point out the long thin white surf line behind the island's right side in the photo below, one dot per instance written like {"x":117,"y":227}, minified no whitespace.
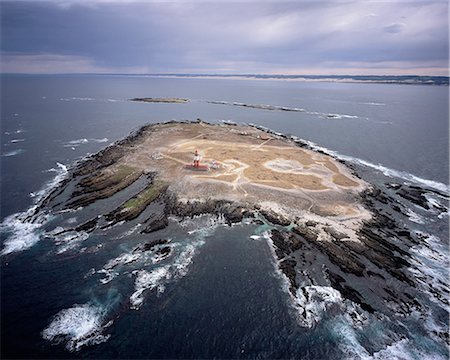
{"x":383,"y":169}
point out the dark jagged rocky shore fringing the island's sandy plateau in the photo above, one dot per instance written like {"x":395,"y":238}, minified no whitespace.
{"x":380,"y":251}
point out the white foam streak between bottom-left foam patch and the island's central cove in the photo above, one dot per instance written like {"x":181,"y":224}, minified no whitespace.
{"x":147,"y":281}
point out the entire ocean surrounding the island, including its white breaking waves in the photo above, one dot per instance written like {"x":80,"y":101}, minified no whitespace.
{"x":222,"y":297}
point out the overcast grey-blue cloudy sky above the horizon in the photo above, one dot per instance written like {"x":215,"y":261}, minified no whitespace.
{"x":271,"y":37}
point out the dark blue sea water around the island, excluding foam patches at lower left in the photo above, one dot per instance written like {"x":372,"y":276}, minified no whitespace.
{"x":231,"y":303}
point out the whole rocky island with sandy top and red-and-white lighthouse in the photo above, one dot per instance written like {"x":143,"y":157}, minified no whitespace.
{"x":319,"y":213}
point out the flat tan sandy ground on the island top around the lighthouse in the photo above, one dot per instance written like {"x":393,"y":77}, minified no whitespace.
{"x":252,"y":166}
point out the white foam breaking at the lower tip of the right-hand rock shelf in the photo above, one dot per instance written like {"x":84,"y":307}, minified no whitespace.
{"x":313,"y":301}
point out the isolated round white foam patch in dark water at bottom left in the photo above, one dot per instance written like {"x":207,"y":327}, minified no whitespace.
{"x":78,"y":326}
